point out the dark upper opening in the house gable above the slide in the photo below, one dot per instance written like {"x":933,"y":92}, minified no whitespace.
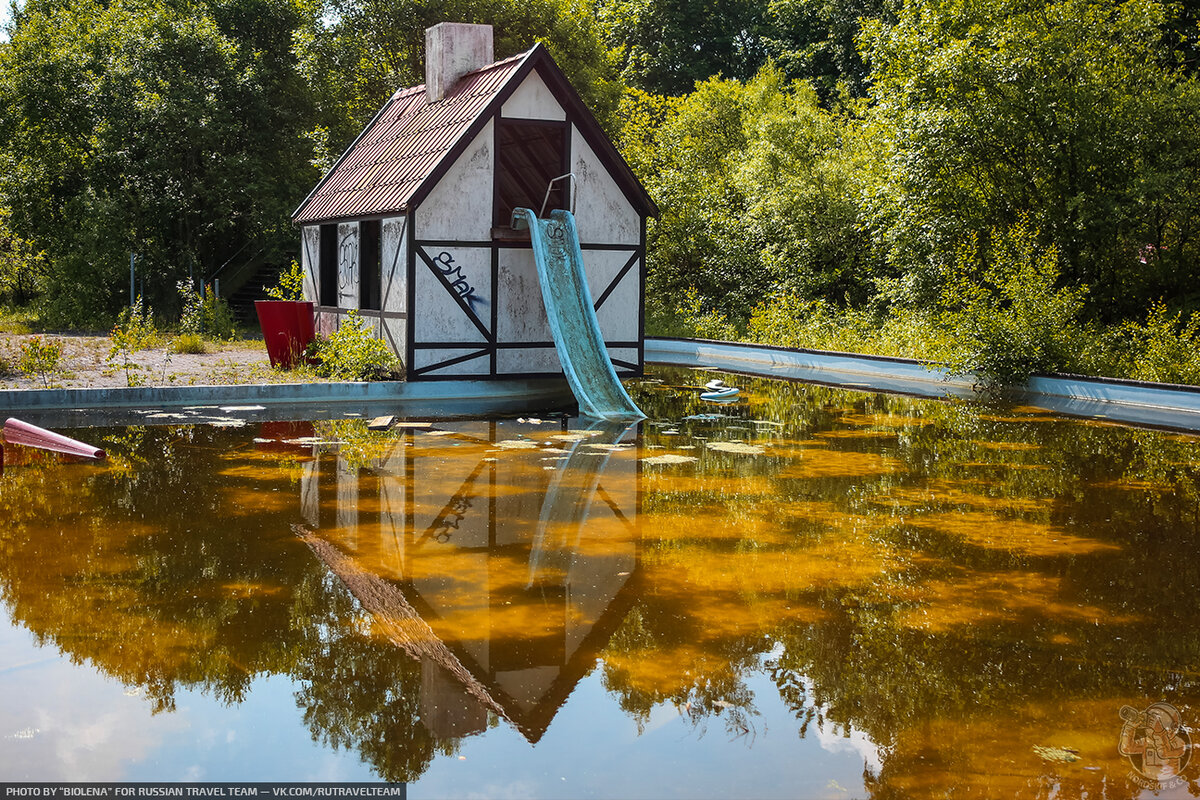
{"x":529,"y":157}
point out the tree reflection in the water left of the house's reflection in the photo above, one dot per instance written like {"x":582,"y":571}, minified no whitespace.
{"x":173,"y":567}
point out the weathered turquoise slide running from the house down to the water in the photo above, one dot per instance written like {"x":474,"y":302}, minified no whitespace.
{"x":573,"y":320}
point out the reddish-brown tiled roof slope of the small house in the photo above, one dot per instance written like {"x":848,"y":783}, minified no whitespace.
{"x":403,"y":147}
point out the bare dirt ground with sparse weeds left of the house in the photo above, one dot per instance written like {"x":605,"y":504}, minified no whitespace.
{"x":87,"y":363}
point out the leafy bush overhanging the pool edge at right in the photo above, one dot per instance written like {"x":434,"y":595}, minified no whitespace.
{"x":1009,"y":316}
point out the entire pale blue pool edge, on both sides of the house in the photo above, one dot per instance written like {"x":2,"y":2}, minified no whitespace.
{"x":1162,"y":406}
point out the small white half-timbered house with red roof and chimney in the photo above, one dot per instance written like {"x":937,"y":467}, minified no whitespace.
{"x":411,"y":228}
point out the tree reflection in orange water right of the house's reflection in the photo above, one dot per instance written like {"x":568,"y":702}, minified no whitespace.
{"x":1073,"y":585}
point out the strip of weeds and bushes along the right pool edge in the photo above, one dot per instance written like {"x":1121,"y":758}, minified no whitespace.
{"x":1000,"y":317}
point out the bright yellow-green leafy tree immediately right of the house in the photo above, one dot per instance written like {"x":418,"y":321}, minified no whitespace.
{"x":758,"y":188}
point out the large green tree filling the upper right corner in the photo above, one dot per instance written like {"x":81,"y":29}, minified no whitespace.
{"x":1061,"y":113}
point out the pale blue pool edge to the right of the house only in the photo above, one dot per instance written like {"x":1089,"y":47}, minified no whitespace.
{"x":1132,"y":402}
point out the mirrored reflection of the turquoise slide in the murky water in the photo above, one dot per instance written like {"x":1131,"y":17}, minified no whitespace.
{"x":569,"y":500}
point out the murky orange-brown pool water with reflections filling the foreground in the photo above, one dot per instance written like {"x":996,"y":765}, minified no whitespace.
{"x":811,"y":594}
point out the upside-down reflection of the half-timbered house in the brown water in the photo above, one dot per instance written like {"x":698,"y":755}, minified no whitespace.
{"x":478,"y":562}
